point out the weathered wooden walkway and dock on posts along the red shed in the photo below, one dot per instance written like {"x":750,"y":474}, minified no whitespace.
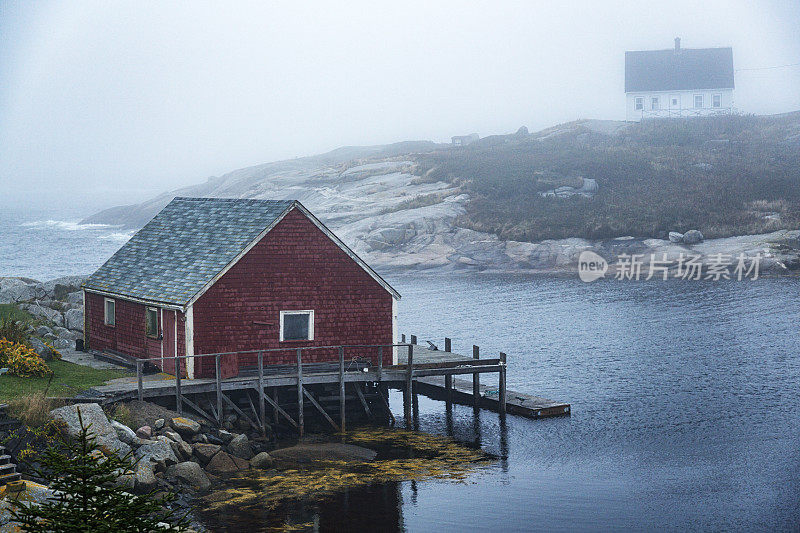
{"x":430,"y":372}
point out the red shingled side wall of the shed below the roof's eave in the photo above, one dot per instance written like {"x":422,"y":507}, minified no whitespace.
{"x":128,"y":334}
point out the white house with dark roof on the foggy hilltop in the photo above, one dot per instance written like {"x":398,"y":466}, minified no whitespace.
{"x":678,"y":82}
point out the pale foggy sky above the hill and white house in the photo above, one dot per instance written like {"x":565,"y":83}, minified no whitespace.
{"x":115,"y":102}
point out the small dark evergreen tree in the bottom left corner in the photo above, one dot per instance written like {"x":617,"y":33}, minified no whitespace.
{"x":86,"y":499}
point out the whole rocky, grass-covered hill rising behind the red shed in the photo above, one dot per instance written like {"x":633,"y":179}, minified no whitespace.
{"x":534,"y":201}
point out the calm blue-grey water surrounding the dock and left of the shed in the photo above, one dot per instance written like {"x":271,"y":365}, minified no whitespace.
{"x":684,"y":397}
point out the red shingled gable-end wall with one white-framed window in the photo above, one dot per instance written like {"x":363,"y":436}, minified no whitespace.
{"x":294,"y":267}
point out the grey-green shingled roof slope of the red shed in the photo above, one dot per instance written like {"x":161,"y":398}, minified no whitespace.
{"x":183,"y":247}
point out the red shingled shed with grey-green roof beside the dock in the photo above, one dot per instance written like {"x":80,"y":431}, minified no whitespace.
{"x":213,"y":275}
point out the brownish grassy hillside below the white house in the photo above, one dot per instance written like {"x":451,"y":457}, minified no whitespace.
{"x":723,"y":175}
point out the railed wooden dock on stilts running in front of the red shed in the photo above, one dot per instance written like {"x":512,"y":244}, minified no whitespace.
{"x":418,"y":369}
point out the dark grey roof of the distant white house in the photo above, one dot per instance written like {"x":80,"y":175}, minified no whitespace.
{"x":685,"y":69}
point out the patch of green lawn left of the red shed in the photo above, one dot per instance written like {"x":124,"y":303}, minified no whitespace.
{"x":68,"y":380}
